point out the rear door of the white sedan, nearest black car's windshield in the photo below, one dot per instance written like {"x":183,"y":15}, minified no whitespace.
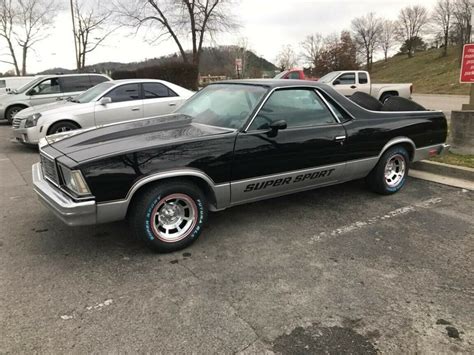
{"x":158,"y":99}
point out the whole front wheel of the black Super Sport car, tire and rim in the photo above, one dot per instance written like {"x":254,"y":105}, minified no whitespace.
{"x":168,"y":216}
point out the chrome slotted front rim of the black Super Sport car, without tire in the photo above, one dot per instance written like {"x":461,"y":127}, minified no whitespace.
{"x":174,"y":218}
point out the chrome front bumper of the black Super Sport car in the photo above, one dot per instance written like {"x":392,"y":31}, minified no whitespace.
{"x":69,"y":211}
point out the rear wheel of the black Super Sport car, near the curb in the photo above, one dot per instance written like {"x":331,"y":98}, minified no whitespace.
{"x":390,"y":173}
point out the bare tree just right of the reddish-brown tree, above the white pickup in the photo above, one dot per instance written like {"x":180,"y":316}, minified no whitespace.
{"x":366,"y":31}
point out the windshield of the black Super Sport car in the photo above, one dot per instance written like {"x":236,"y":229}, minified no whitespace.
{"x":223,"y":105}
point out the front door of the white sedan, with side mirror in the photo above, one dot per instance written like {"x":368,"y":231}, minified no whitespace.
{"x":126,"y":105}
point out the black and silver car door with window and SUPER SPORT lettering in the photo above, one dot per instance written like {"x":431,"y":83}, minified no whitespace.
{"x":308,"y":153}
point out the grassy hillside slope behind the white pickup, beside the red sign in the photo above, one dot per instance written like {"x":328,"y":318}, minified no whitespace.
{"x":428,"y":71}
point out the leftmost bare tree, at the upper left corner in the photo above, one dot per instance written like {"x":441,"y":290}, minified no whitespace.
{"x":34,"y":18}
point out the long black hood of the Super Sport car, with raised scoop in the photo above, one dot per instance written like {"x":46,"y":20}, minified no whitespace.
{"x":132,"y":136}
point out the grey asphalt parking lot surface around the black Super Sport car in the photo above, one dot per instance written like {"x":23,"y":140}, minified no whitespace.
{"x":334,"y":270}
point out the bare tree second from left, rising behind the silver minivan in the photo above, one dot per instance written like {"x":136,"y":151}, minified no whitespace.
{"x":92,"y":28}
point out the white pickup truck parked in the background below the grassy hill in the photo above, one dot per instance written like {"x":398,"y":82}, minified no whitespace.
{"x":348,"y":82}
